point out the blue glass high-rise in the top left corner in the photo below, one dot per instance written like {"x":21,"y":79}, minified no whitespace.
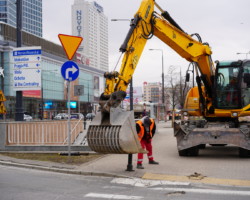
{"x":32,"y":15}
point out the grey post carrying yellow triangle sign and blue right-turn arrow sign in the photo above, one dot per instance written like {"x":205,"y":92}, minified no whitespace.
{"x":69,"y":71}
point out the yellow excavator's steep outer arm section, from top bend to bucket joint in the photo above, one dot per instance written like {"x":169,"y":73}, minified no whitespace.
{"x":117,"y":82}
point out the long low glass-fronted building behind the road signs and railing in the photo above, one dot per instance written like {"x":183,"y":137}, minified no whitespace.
{"x":53,"y":95}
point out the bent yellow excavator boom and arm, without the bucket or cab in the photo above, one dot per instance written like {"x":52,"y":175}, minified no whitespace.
{"x":148,"y":23}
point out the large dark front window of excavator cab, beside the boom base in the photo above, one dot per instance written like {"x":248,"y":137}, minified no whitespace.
{"x":227,"y":86}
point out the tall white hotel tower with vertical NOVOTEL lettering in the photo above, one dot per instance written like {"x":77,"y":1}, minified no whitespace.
{"x":90,"y":22}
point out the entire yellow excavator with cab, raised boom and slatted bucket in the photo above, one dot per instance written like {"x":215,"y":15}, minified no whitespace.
{"x":221,"y":97}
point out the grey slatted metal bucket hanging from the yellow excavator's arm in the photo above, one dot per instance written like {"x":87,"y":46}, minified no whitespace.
{"x":114,"y":133}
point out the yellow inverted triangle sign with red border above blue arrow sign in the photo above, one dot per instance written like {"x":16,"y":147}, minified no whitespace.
{"x":70,"y":44}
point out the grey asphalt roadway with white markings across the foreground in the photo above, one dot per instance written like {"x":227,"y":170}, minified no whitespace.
{"x":20,"y":184}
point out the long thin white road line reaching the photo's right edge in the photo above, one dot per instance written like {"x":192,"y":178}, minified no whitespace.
{"x":207,"y":191}
